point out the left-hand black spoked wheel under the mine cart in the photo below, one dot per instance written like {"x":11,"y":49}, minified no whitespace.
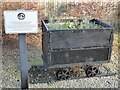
{"x":63,"y":74}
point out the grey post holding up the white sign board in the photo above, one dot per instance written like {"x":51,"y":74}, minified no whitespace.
{"x":23,"y":61}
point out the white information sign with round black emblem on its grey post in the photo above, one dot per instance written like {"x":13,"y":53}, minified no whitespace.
{"x":21,"y":22}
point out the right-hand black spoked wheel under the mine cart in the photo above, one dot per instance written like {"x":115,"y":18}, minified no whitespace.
{"x":91,"y":71}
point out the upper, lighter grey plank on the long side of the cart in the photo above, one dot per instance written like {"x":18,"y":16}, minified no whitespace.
{"x":80,"y":39}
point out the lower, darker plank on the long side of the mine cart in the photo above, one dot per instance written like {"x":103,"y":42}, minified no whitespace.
{"x":79,"y":56}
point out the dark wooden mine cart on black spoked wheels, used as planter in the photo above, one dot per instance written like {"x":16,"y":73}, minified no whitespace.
{"x":67,"y":47}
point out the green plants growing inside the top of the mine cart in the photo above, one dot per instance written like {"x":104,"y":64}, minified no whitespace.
{"x":84,"y":24}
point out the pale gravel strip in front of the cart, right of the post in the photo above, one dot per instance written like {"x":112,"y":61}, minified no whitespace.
{"x":103,"y":82}
